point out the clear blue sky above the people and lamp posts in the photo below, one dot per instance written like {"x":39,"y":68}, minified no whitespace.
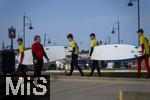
{"x":57,"y":18}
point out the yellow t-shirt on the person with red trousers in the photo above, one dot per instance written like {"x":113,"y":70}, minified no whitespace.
{"x":144,"y":40}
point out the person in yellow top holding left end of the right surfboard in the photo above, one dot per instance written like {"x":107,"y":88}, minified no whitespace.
{"x":94,"y":63}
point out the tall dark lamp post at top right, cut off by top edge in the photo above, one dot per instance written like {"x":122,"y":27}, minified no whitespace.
{"x":138,"y":3}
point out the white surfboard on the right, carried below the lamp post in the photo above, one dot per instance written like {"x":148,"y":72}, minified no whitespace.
{"x":116,"y":52}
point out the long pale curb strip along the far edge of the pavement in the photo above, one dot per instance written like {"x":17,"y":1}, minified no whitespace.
{"x":102,"y":79}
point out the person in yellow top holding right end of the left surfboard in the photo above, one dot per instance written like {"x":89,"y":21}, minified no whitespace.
{"x":74,"y":55}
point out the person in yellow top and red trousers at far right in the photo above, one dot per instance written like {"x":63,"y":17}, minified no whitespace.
{"x":144,"y":42}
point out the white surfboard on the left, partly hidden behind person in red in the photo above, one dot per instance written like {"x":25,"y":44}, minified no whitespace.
{"x":54,"y":53}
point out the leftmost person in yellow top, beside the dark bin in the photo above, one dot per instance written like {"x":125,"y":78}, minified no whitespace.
{"x":21,"y":67}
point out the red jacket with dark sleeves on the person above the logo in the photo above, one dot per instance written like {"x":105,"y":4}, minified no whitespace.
{"x":38,"y":51}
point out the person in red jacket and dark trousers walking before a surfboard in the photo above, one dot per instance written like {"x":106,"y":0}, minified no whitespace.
{"x":38,"y":54}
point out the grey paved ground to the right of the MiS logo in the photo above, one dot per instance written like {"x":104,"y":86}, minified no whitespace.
{"x":94,"y":88}
